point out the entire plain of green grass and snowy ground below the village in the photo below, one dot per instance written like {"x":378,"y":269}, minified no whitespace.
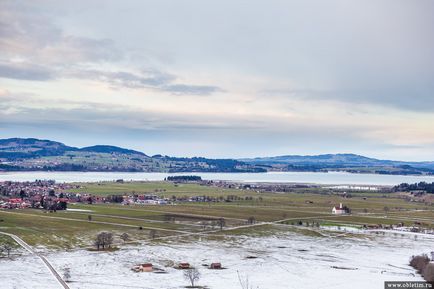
{"x":273,"y":239}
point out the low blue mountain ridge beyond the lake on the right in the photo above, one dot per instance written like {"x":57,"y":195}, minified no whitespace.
{"x":341,"y":162}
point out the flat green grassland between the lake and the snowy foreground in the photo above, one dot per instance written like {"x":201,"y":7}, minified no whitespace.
{"x":272,"y":211}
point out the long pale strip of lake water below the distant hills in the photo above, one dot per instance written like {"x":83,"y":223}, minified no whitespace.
{"x":330,"y":178}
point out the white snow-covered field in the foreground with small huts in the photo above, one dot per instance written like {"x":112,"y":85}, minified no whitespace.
{"x":288,"y":260}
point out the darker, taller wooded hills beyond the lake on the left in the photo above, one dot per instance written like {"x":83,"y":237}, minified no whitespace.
{"x":18,"y":154}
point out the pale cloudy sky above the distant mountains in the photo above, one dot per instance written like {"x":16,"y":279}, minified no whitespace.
{"x":222,"y":78}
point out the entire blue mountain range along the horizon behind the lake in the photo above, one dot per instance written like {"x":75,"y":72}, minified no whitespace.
{"x":27,"y":154}
